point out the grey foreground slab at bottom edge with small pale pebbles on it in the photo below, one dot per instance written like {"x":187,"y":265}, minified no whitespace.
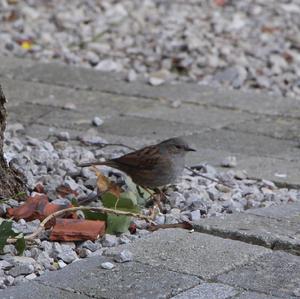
{"x":127,"y":280}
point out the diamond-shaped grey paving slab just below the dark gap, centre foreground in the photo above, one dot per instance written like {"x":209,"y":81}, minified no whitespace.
{"x":192,"y":253}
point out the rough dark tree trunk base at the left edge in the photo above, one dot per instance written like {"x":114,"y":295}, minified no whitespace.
{"x":11,"y":182}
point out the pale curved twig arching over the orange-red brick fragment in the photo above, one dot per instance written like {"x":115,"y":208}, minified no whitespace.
{"x":81,"y":208}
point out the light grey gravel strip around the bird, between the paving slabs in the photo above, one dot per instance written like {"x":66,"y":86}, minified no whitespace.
{"x":51,"y":163}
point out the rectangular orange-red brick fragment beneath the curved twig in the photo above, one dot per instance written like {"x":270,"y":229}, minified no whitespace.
{"x":77,"y":230}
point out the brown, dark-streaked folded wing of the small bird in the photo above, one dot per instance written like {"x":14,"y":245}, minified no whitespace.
{"x":145,"y":158}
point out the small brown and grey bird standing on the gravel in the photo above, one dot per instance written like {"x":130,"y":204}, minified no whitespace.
{"x":152,"y":166}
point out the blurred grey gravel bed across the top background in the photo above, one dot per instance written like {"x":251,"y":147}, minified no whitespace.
{"x":249,"y":44}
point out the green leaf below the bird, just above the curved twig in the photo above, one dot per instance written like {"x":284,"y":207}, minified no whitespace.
{"x":127,"y":202}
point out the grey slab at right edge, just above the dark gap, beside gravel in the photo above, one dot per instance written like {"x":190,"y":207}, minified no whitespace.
{"x":265,"y":231}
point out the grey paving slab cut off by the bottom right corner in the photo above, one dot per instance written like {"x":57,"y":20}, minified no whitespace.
{"x":277,"y":274}
